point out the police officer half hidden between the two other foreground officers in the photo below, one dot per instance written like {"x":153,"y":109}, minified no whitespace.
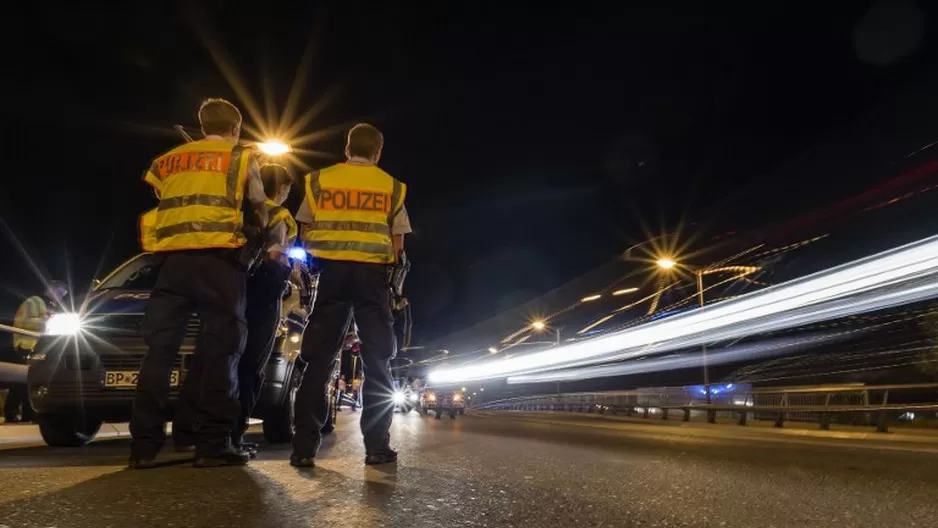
{"x":265,"y":290}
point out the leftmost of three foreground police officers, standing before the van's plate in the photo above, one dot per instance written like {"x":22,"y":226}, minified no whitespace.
{"x":198,"y":227}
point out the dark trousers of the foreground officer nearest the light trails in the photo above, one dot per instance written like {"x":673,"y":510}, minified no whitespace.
{"x":345,"y":287}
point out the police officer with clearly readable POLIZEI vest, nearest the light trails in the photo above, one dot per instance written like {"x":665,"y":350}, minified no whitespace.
{"x":354,"y":224}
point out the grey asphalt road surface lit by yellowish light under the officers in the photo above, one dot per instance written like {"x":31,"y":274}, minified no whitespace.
{"x":497,"y":471}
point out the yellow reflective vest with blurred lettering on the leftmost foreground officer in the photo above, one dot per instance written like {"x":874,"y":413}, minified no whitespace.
{"x":201,"y":186}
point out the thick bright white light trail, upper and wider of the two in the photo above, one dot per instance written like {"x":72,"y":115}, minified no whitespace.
{"x":898,"y":276}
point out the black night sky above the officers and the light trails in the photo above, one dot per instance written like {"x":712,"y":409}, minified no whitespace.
{"x":537,"y":141}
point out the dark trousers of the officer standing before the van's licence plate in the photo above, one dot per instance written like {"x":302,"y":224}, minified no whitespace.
{"x":211,"y":284}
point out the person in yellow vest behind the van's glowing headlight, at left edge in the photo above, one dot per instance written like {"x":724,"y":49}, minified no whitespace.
{"x":31,"y":315}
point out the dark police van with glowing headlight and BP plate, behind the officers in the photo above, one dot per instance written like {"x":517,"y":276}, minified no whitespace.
{"x":84,"y":369}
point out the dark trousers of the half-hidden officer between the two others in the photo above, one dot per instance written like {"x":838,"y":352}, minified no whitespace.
{"x":265,"y":290}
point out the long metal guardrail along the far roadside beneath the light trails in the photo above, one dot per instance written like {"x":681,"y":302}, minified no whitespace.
{"x":816,"y":403}
